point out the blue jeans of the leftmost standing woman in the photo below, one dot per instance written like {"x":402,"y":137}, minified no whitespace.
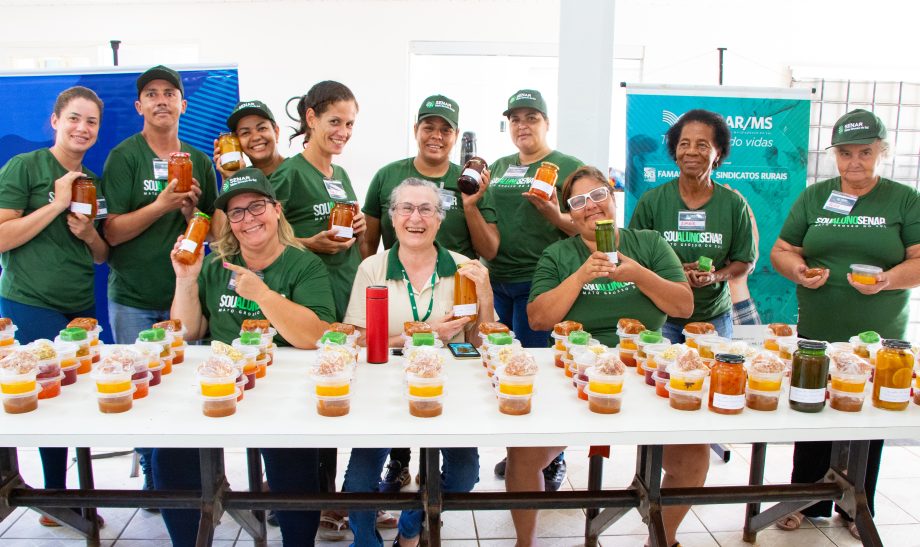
{"x":32,"y":323}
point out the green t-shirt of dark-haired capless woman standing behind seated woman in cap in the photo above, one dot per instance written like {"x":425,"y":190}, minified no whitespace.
{"x":308,"y":198}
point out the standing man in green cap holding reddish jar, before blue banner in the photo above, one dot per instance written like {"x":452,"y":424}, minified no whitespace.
{"x":146,"y":214}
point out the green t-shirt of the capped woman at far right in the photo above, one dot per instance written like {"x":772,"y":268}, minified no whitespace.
{"x":881,"y":225}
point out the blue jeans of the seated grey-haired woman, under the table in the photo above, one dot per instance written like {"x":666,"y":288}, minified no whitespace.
{"x":460,"y":472}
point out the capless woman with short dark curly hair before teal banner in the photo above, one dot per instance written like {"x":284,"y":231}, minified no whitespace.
{"x":701,"y":220}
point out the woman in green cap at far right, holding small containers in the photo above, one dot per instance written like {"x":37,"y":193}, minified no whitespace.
{"x":856,"y":218}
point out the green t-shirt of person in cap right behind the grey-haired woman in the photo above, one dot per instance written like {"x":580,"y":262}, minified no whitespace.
{"x":453,"y":234}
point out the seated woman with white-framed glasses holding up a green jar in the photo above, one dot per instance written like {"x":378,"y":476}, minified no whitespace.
{"x":574,"y":281}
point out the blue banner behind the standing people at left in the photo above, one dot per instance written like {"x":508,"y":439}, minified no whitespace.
{"x":25,"y":123}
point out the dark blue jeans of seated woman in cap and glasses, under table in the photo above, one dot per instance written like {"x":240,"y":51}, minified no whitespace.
{"x":289,"y":471}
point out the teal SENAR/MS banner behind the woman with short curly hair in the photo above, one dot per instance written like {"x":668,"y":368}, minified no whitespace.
{"x":767,"y":163}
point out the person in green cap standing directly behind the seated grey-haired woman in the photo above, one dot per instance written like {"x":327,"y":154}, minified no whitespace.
{"x":469,"y":227}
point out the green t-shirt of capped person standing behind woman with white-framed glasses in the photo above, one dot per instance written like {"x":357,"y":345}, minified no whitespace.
{"x":524,"y":232}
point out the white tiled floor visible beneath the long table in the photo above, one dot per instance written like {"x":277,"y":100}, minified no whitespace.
{"x":897,"y":507}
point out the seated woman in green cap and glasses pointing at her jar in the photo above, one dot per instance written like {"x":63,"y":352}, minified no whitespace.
{"x":257,"y":255}
